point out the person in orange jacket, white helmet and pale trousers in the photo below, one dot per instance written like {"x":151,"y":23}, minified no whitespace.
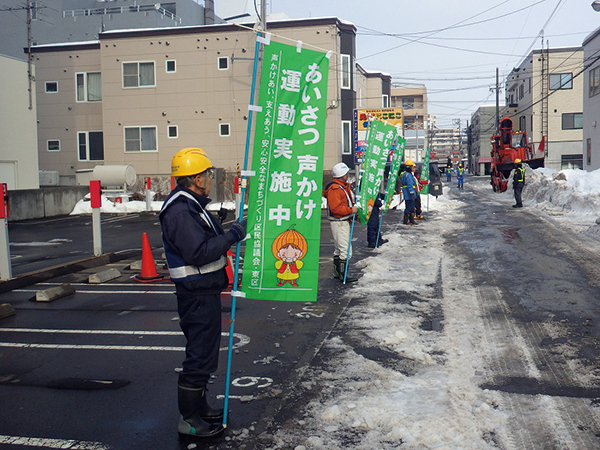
{"x":340,"y":209}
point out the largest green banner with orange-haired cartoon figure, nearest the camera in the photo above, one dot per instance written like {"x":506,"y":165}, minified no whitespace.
{"x":284,"y":210}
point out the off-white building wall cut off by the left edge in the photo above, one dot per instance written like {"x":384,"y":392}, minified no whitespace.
{"x":18,"y":131}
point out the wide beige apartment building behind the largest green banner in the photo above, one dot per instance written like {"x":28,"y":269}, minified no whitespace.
{"x":138,"y":96}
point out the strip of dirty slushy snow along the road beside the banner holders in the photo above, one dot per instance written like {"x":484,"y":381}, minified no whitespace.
{"x":424,"y":394}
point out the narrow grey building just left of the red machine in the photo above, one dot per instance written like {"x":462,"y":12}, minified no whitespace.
{"x":481,"y":129}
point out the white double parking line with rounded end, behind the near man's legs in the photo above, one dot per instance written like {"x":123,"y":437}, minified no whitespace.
{"x":242,"y":340}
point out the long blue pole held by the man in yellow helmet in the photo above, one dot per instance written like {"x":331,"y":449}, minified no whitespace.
{"x":238,"y":245}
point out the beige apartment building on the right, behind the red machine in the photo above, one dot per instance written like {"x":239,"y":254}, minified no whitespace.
{"x":544,"y":97}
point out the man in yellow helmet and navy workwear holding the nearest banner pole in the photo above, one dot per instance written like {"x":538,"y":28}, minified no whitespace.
{"x":195,"y":247}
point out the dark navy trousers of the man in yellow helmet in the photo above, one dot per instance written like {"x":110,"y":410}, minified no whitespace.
{"x":200,"y":321}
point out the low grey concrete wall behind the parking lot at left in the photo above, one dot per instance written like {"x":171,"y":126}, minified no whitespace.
{"x":45,"y":202}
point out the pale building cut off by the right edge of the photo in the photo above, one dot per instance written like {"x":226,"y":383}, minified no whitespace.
{"x":591,"y":102}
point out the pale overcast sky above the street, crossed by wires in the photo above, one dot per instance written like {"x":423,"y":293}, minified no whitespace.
{"x":458,"y":81}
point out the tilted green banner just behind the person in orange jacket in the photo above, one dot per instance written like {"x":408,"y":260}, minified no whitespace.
{"x":379,"y":142}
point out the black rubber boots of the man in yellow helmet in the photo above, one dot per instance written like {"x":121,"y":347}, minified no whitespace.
{"x":192,"y":401}
